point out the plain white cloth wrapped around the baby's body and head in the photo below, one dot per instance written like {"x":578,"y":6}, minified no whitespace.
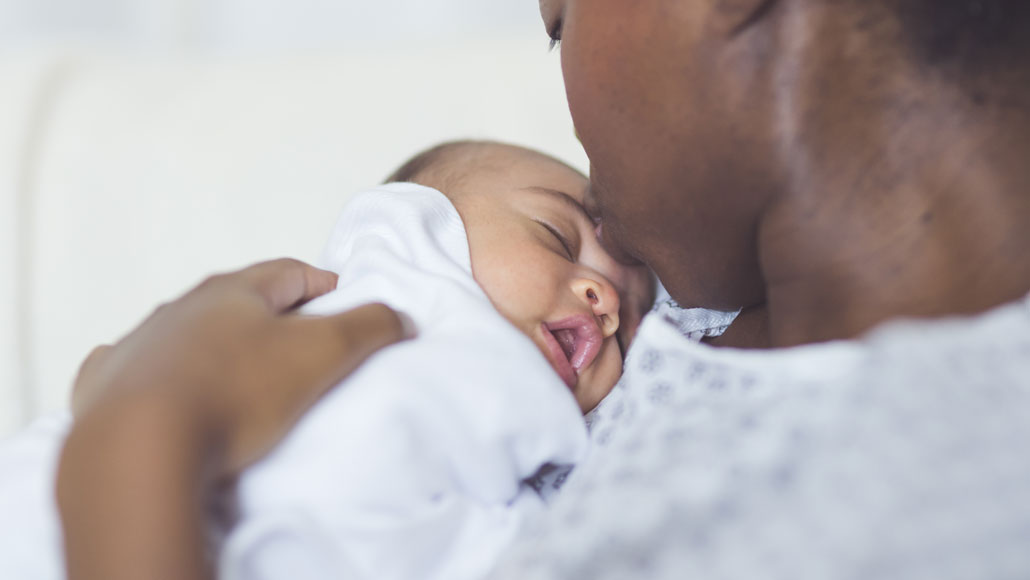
{"x":413,"y":468}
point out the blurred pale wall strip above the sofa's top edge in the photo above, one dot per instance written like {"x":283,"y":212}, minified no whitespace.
{"x":261,"y":27}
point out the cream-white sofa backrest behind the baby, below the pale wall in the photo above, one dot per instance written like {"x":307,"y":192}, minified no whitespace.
{"x":124,"y":181}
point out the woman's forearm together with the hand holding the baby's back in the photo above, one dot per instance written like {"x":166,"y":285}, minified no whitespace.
{"x":203,"y":388}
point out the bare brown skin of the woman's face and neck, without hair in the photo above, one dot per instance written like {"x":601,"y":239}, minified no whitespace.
{"x":792,"y":153}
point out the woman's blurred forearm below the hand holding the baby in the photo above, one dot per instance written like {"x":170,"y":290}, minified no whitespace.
{"x":132,"y":481}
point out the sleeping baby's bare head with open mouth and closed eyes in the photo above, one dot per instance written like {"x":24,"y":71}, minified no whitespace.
{"x":535,"y":253}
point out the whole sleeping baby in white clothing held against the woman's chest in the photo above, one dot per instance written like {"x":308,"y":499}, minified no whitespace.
{"x":416,"y":466}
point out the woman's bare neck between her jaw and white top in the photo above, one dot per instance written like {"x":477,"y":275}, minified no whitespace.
{"x":919,"y":213}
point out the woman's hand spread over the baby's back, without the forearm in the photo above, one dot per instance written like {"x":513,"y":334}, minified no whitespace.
{"x":233,"y":353}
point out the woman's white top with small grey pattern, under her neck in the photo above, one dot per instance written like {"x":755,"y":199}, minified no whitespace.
{"x":903,"y":456}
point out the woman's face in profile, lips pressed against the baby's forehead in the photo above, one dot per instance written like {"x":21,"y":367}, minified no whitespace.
{"x":668,"y":106}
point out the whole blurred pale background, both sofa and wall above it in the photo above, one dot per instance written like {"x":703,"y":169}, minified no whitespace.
{"x":148,"y":144}
